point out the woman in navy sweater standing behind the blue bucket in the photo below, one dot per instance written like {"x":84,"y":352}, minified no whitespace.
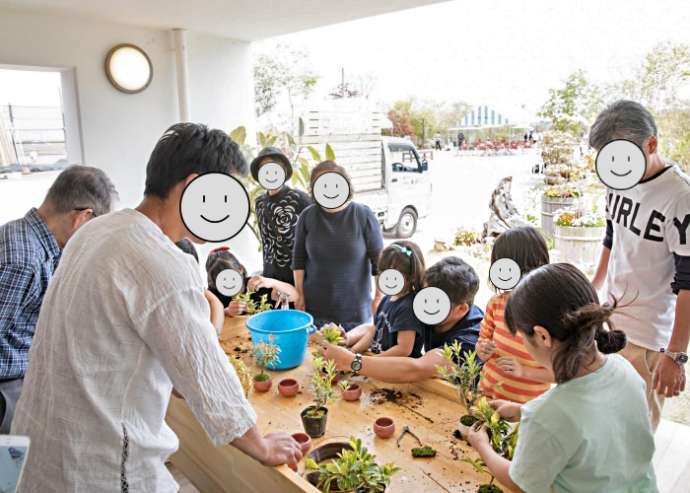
{"x":337,"y":245}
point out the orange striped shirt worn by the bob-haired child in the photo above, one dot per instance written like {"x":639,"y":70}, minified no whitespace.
{"x":494,"y":382}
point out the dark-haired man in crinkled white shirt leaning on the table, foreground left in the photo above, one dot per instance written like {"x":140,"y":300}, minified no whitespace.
{"x":123,"y":321}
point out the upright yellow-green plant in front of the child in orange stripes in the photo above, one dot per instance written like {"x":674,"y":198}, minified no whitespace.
{"x":462,"y":370}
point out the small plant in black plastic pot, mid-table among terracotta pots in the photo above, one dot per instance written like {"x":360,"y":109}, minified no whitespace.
{"x":315,"y":416}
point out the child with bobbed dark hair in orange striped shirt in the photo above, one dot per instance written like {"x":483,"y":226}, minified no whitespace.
{"x":509,"y":371}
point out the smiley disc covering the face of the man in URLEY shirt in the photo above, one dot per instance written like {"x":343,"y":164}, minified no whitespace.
{"x":621,"y":164}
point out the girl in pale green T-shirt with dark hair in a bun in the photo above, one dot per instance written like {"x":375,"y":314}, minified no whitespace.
{"x":591,"y":432}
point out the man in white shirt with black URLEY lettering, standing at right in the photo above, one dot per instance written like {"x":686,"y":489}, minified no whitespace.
{"x":645,"y":262}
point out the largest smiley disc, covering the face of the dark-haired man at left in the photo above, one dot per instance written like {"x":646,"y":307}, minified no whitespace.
{"x":214,"y":207}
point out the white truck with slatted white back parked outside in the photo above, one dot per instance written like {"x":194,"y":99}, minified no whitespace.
{"x":387,"y":173}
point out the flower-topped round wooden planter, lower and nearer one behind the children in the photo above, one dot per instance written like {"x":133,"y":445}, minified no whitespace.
{"x":577,"y":236}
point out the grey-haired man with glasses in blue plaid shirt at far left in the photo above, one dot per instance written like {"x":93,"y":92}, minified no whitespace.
{"x":30,"y":248}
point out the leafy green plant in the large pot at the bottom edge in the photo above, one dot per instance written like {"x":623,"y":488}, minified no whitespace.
{"x":353,"y":470}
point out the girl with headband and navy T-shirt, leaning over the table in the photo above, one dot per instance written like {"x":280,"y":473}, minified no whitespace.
{"x":395,"y":331}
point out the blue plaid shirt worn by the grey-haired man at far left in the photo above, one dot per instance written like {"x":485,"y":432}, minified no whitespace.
{"x":29,"y":255}
